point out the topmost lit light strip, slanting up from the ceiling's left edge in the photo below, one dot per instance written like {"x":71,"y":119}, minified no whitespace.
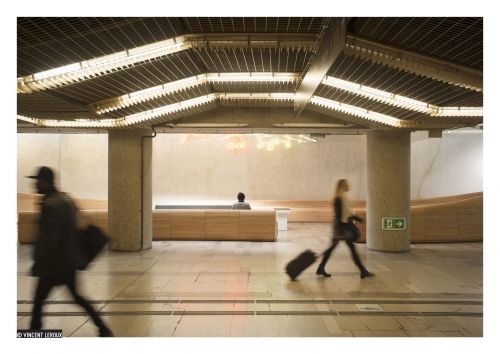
{"x":79,"y":71}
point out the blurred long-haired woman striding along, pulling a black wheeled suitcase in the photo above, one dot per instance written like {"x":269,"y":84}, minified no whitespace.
{"x":343,"y":229}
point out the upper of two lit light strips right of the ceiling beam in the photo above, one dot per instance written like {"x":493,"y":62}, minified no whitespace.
{"x":401,"y":101}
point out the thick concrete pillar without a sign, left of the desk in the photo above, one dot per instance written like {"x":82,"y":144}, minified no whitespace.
{"x":129,"y":195}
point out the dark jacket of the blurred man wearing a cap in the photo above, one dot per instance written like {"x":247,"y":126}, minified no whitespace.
{"x":56,"y":250}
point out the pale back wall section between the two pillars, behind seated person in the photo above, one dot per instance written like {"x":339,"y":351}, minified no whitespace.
{"x":208,"y":170}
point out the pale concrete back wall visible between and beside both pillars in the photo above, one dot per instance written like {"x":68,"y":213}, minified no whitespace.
{"x":208,"y":170}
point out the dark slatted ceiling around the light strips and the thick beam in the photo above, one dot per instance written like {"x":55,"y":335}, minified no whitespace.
{"x":253,"y":46}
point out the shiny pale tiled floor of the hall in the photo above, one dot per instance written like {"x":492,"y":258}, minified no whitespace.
{"x":240,"y":289}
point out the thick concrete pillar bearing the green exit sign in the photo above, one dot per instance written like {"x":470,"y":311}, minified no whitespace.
{"x":388,"y":189}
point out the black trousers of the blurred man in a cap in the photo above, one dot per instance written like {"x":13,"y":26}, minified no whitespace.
{"x":45,"y":284}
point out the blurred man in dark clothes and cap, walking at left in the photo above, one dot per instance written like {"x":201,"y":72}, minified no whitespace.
{"x":57,"y":253}
